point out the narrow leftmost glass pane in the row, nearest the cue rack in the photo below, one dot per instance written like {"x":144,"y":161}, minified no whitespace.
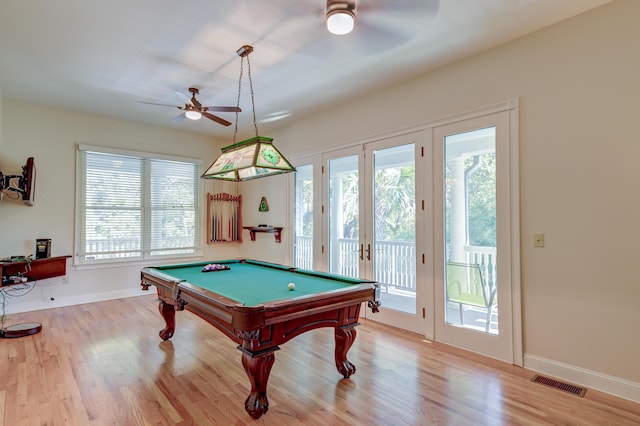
{"x":303,"y":218}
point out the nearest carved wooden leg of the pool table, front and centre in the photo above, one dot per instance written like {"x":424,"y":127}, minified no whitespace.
{"x":257,"y":368}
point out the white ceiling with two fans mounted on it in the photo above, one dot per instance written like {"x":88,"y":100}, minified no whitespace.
{"x":103,"y":56}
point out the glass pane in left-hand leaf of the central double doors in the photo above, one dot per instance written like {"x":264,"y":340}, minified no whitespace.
{"x":344,"y":221}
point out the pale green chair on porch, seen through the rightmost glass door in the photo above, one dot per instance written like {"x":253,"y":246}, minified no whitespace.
{"x":466,"y":286}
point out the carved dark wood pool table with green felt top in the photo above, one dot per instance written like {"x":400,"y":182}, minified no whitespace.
{"x":251,"y":303}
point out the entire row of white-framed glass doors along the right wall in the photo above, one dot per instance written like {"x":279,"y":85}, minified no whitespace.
{"x":432,"y":216}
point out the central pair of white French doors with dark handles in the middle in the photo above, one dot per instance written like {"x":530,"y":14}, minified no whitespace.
{"x":371,"y":224}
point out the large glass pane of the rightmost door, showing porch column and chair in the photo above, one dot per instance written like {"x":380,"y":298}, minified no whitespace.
{"x":470,"y":230}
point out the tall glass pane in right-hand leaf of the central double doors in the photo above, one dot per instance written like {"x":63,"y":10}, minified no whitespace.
{"x":394,"y":251}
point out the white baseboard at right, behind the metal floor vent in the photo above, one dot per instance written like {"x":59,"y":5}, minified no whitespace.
{"x":583,"y":377}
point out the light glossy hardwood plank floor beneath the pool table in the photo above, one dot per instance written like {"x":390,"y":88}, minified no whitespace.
{"x":104,"y":364}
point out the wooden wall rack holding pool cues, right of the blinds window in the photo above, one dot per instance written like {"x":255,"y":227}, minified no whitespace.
{"x":224,"y":218}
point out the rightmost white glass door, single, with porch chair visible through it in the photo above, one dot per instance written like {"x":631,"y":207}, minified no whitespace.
{"x":473,"y":213}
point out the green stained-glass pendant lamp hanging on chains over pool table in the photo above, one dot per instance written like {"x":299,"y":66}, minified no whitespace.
{"x":252,"y":158}
